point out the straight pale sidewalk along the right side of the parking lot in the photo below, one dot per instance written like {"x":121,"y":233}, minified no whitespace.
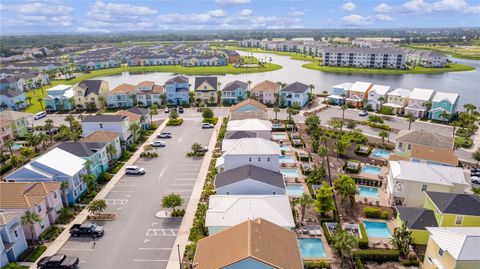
{"x":184,"y":231}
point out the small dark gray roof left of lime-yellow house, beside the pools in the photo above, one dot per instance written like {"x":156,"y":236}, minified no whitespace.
{"x":417,"y":218}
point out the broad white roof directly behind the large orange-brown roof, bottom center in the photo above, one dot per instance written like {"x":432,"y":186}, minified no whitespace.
{"x":230,"y":210}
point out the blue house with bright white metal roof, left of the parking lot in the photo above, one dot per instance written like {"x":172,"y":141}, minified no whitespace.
{"x":46,"y":168}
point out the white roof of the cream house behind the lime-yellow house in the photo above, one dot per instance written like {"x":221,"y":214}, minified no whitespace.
{"x":428,"y":173}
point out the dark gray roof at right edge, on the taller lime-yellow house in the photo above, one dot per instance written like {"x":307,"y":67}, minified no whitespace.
{"x":456,"y":203}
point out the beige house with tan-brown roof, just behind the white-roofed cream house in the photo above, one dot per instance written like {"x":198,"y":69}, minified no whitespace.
{"x":425,"y":147}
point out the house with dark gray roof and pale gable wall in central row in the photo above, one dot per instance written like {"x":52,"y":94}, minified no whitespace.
{"x":249,"y":180}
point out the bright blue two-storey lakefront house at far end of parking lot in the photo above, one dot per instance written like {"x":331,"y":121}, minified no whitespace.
{"x":177,"y":90}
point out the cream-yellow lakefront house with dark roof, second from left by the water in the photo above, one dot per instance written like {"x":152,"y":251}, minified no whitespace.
{"x":91,"y":94}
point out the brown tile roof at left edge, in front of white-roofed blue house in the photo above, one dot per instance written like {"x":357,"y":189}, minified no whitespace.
{"x":25,"y":194}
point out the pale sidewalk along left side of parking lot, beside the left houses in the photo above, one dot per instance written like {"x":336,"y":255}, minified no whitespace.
{"x":57,"y":244}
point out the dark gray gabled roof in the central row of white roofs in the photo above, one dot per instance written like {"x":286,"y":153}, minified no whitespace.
{"x":250,"y":171}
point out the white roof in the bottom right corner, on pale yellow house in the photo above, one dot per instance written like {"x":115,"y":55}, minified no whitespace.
{"x":461,"y":242}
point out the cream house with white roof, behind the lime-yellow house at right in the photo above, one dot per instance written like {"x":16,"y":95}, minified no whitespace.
{"x":406,"y":181}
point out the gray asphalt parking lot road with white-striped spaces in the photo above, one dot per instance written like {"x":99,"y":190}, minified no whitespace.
{"x":139,"y":239}
